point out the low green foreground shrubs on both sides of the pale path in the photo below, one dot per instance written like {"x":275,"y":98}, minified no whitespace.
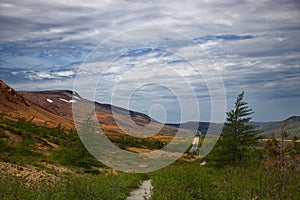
{"x":179,"y":181}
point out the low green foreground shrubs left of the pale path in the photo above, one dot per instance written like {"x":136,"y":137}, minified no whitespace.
{"x":73,"y":187}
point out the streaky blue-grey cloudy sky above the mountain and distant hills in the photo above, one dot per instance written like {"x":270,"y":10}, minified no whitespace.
{"x":176,"y":61}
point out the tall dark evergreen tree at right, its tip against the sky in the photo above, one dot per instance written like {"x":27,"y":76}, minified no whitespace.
{"x":238,"y":136}
